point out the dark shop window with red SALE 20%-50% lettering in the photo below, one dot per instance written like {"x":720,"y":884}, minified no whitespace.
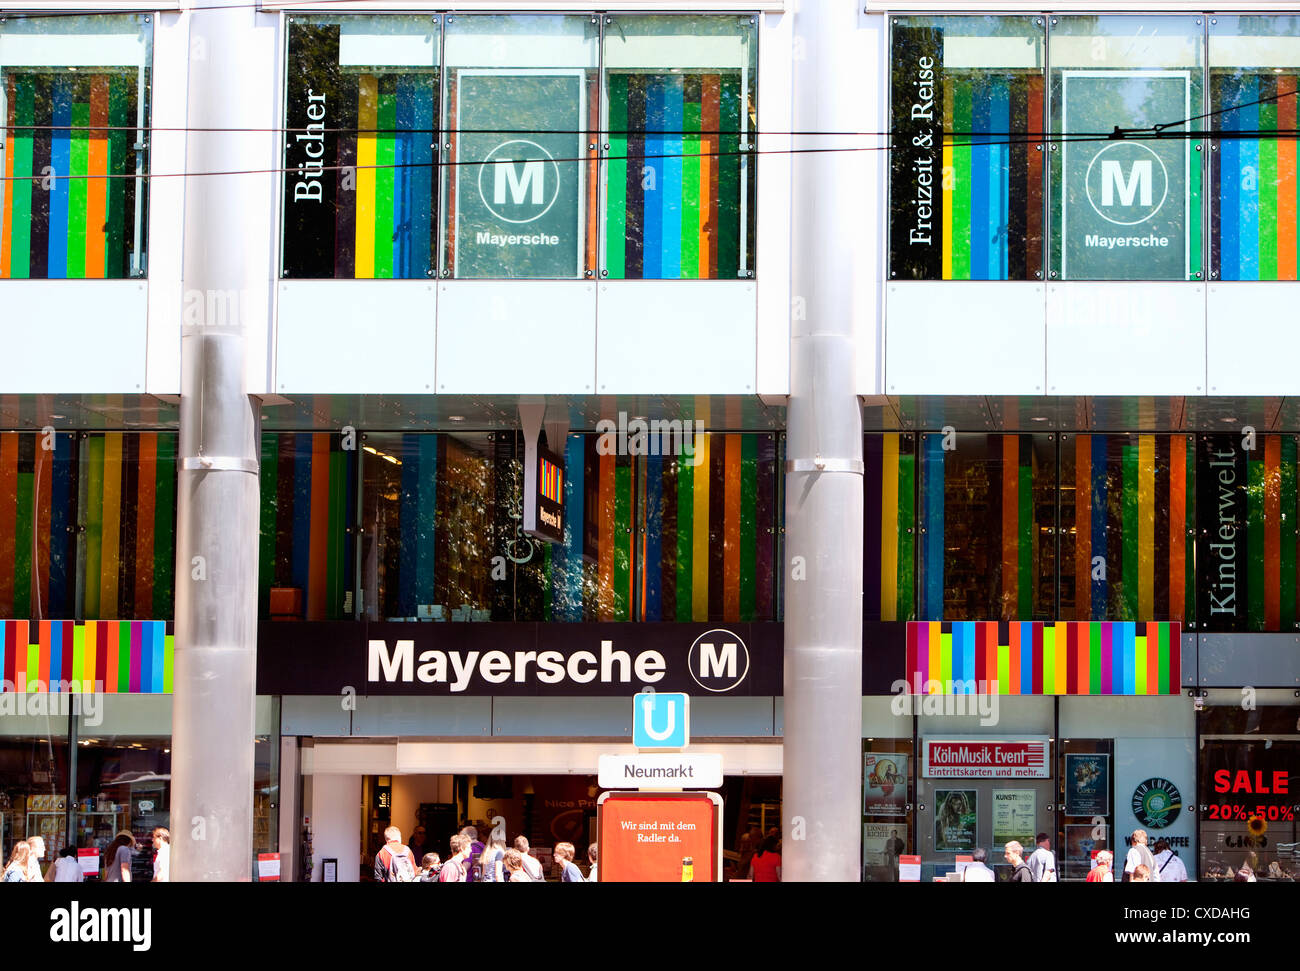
{"x":1249,"y":775}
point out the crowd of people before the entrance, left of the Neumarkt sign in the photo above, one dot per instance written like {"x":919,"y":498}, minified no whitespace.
{"x":475,"y":861}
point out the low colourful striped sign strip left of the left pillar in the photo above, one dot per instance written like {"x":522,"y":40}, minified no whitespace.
{"x":120,"y":657}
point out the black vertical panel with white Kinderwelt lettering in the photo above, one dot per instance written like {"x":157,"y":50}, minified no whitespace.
{"x":1223,"y":574}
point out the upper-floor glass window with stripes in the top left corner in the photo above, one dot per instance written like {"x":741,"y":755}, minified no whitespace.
{"x":75,"y":99}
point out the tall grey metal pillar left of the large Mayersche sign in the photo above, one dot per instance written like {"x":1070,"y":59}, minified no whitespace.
{"x":216,"y":571}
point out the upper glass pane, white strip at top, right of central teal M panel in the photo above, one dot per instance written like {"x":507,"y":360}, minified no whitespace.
{"x":681,"y":107}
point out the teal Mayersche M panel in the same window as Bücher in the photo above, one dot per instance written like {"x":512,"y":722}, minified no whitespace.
{"x":518,"y":196}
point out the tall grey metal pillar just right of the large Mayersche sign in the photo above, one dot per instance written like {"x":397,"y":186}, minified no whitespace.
{"x":822,"y":801}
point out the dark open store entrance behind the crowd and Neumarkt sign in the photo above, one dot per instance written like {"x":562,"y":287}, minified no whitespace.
{"x":548,"y":809}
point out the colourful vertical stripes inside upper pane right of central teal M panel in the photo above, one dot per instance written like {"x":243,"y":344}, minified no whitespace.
{"x":674,"y":184}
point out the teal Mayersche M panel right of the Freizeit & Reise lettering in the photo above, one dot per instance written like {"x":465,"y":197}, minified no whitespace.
{"x":1126,"y":202}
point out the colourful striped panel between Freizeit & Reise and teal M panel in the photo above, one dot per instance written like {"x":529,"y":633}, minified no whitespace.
{"x":993,"y":194}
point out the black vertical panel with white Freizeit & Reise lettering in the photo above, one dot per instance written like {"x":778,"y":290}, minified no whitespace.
{"x":916,"y":194}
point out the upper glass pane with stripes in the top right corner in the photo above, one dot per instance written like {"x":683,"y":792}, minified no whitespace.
{"x":1255,"y":67}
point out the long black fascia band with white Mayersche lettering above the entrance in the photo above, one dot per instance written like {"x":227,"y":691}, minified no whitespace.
{"x":541,"y":660}
